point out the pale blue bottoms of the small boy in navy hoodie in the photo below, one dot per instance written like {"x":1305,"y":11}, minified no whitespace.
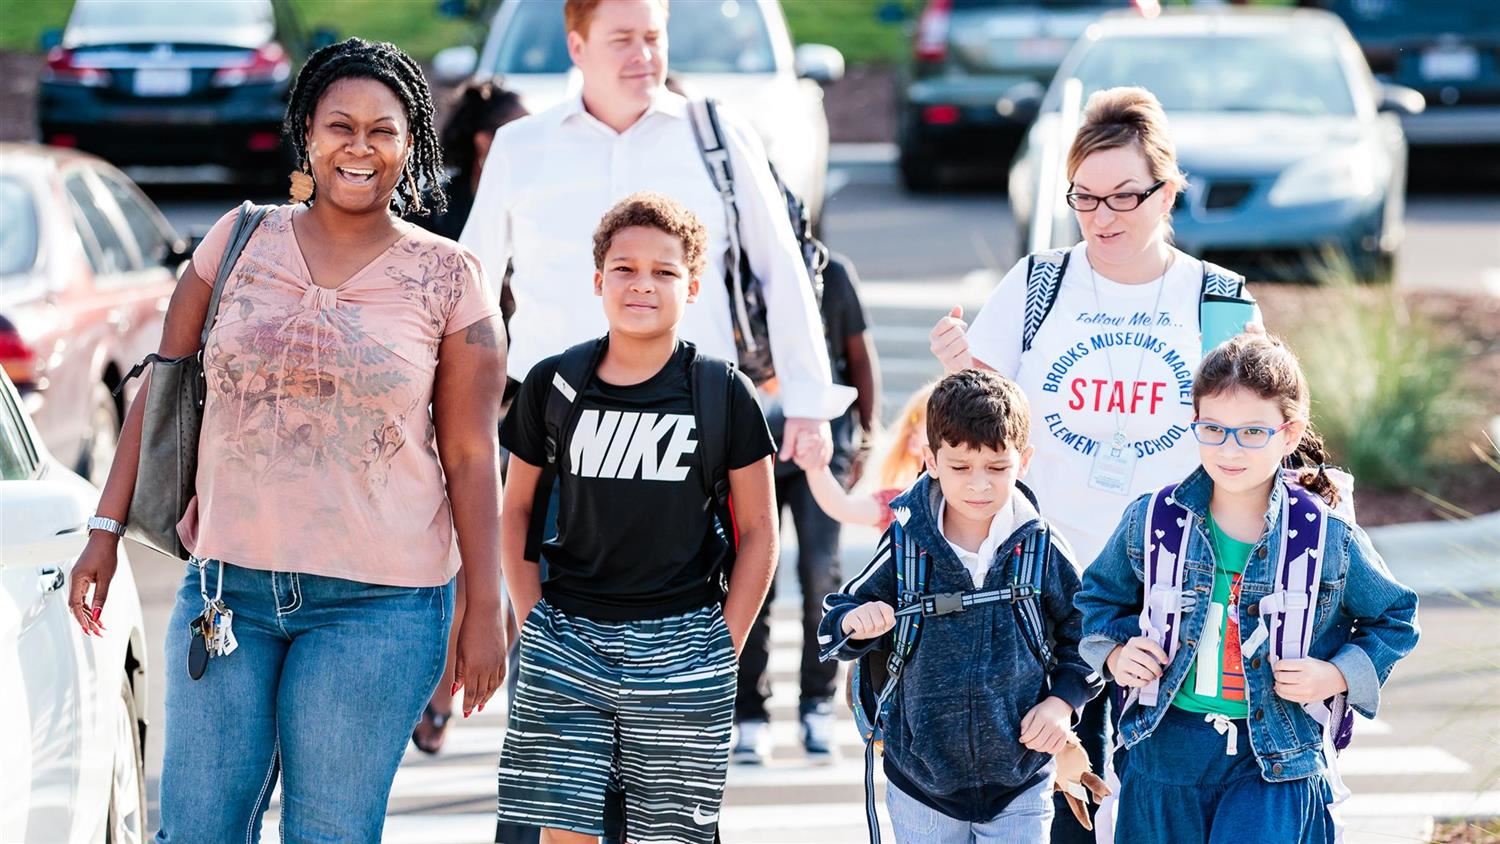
{"x":1025,"y":821}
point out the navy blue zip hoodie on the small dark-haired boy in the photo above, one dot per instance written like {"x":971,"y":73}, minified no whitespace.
{"x":953,"y":734}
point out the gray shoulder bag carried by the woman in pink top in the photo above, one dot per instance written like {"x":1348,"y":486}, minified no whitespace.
{"x":167,"y":477}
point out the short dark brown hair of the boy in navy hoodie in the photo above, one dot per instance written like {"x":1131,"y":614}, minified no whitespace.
{"x":979,"y":409}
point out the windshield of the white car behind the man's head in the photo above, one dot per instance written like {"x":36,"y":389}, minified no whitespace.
{"x":704,"y":37}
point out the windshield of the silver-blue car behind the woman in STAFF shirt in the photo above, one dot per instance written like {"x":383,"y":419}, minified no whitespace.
{"x":1265,"y":73}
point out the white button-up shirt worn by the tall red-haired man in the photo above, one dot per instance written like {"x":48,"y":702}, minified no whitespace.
{"x":553,"y":176}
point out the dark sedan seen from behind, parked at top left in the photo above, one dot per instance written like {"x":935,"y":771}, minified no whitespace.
{"x":172,"y":83}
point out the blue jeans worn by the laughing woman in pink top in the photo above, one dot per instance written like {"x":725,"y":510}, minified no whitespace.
{"x":326,"y":686}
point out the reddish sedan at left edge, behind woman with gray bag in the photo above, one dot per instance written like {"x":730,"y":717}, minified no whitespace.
{"x":86,"y":272}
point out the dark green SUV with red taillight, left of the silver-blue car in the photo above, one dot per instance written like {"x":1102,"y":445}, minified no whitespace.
{"x":967,"y":58}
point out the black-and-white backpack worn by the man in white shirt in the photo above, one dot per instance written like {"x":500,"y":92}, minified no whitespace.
{"x":746,"y":296}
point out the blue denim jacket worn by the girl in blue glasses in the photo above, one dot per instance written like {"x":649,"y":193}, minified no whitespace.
{"x":1366,"y":621}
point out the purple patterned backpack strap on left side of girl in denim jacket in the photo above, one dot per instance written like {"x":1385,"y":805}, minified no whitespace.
{"x":1166,"y":546}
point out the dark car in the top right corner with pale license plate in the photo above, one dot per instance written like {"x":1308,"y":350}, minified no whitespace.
{"x":1450,"y":52}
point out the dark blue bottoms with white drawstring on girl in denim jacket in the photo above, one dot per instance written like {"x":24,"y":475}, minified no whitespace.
{"x":1180,"y":785}
